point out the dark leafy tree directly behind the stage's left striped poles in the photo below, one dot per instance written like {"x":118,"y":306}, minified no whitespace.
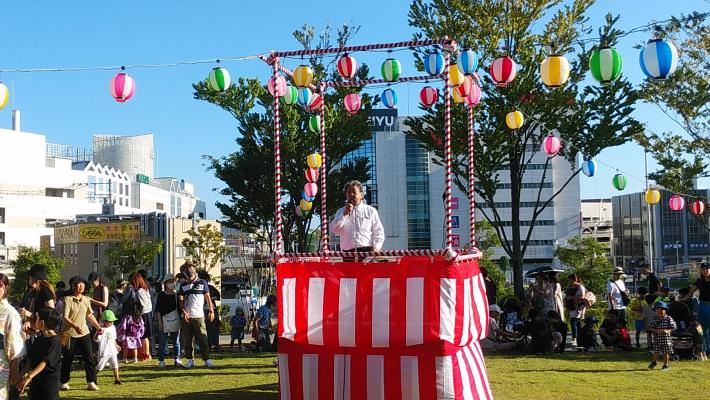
{"x":248,"y":173}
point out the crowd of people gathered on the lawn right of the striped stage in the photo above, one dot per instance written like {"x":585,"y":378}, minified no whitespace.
{"x":673,"y":325}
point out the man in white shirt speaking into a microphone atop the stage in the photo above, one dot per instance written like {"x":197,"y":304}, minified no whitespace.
{"x":358,"y":224}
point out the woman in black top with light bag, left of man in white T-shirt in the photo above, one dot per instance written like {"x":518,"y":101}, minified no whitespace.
{"x":168,"y":320}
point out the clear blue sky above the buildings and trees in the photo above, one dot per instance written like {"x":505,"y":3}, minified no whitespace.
{"x":70,"y":107}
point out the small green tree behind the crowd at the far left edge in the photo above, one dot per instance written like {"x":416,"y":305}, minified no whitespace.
{"x":20,"y":266}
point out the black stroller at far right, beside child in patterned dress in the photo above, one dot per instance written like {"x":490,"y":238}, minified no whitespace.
{"x":687,"y":339}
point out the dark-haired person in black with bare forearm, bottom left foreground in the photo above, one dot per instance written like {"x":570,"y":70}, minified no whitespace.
{"x":44,"y":358}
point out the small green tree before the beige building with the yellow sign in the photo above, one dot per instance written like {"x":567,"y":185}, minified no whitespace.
{"x":128,"y":256}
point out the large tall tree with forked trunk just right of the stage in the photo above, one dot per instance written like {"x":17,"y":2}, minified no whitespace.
{"x":595,"y":117}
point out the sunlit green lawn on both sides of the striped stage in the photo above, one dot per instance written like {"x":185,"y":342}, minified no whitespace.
{"x":570,"y":376}
